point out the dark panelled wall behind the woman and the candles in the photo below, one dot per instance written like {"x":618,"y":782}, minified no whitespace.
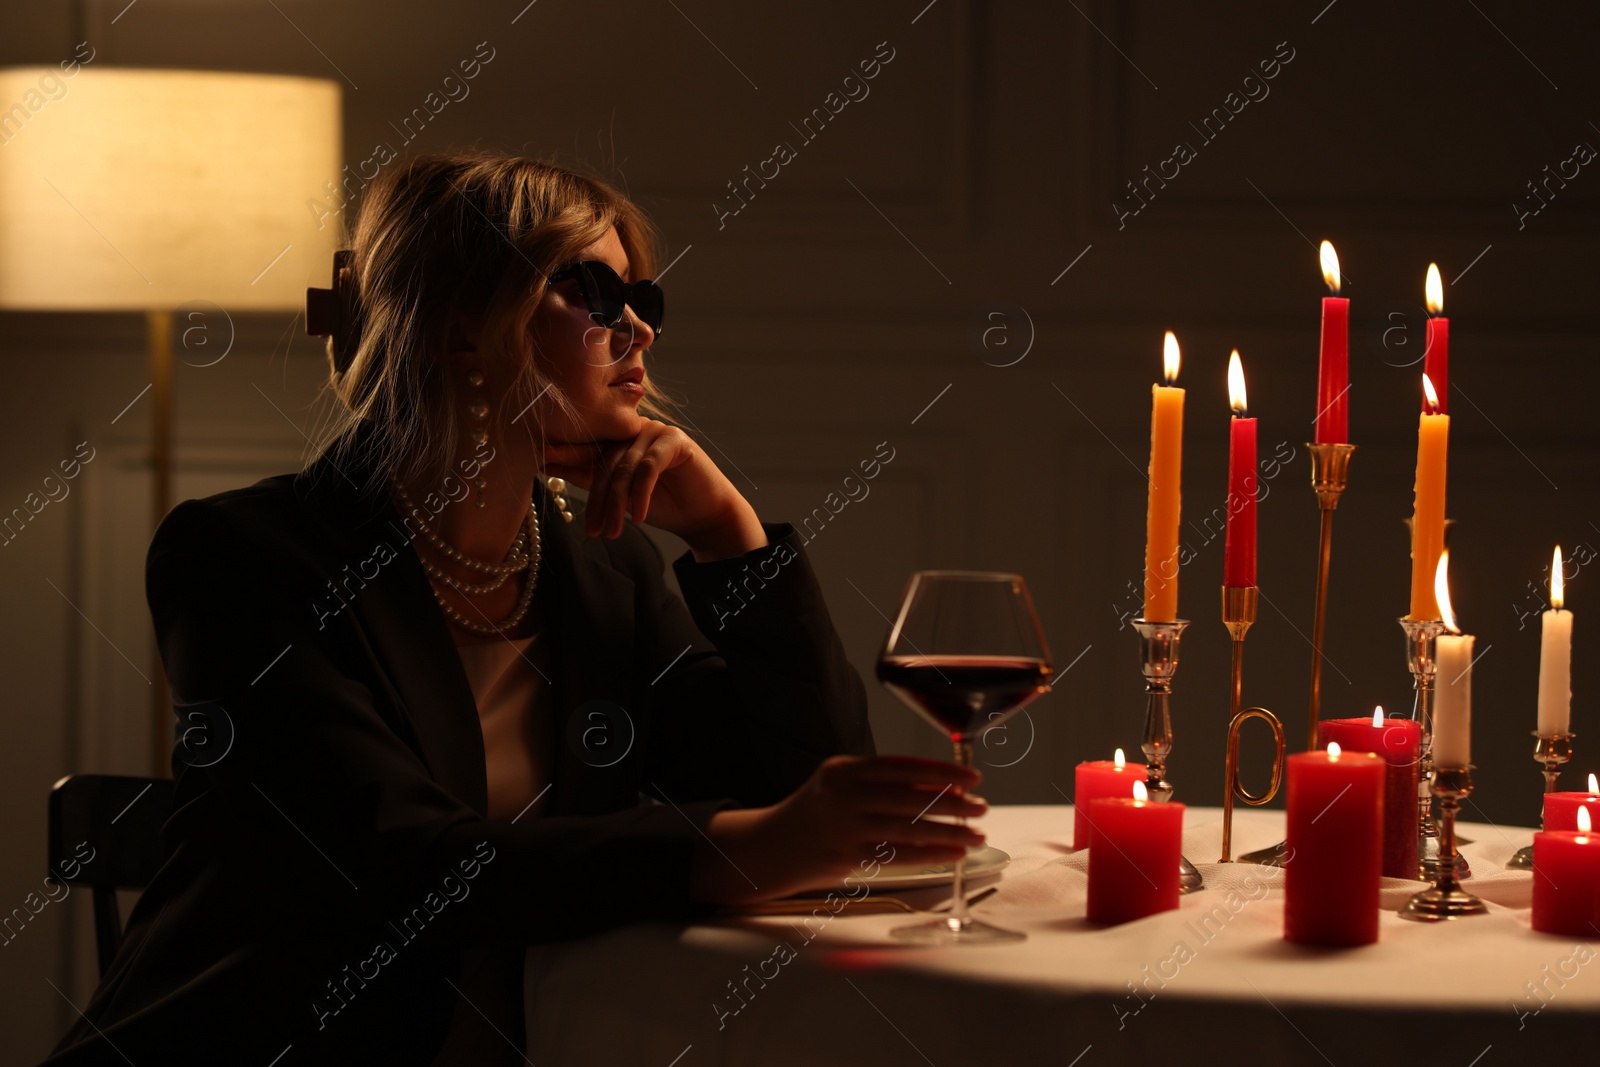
{"x":983,"y":172}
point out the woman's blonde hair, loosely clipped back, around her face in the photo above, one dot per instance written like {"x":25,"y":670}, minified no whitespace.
{"x":463,"y":236}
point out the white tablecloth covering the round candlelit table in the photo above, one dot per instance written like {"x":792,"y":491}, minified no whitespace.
{"x":1209,"y":981}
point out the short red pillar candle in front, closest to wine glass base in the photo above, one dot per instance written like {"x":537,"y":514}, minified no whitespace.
{"x":1135,"y":849}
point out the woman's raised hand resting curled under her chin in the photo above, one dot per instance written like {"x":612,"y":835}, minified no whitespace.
{"x":662,"y":476}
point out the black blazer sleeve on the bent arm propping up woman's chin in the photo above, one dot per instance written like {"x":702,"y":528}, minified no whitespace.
{"x":759,"y":690}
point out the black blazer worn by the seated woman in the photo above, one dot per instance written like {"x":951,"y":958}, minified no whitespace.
{"x":329,"y":858}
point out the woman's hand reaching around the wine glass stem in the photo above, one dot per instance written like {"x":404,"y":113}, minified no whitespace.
{"x":834,"y":823}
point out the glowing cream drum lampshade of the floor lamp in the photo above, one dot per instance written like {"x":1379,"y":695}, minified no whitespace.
{"x":150,"y":190}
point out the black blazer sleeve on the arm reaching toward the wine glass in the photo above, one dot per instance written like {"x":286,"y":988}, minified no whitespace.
{"x":324,"y":770}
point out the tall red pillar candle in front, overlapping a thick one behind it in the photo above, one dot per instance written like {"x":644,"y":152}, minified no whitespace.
{"x":1335,"y":847}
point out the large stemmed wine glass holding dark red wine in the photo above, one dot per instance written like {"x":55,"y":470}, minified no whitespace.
{"x":966,"y":653}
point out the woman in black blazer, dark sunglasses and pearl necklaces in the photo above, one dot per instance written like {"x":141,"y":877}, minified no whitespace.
{"x":439,"y":724}
